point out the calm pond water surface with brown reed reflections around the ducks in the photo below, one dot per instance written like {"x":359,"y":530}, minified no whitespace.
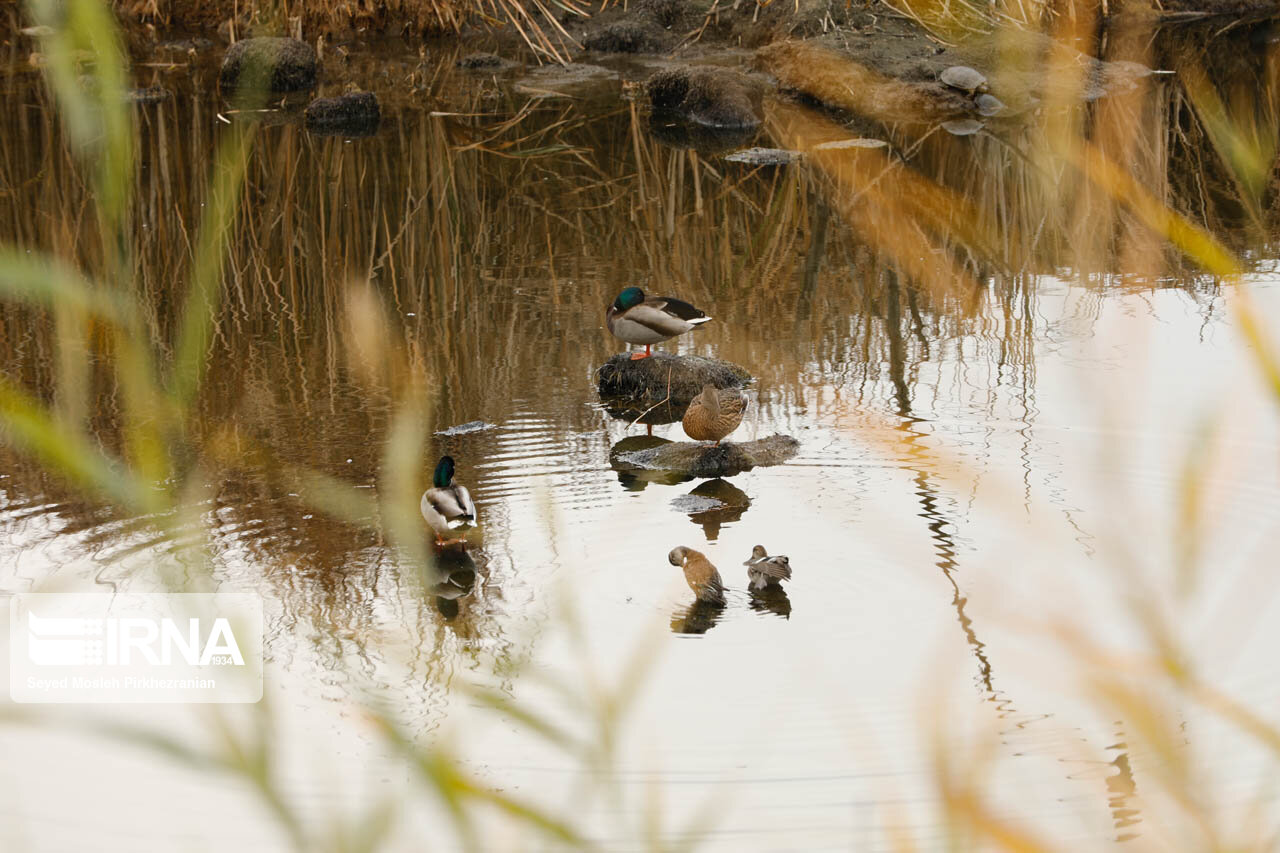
{"x":990,"y":449}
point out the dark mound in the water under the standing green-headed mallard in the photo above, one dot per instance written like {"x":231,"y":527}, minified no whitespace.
{"x":664,"y":377}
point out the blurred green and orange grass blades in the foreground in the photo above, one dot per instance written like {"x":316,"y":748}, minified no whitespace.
{"x":166,"y":451}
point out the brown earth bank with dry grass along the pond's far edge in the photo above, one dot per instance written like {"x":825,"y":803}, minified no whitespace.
{"x":880,"y":58}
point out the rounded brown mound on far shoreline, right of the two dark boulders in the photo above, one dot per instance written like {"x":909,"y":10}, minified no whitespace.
{"x":719,"y":98}
